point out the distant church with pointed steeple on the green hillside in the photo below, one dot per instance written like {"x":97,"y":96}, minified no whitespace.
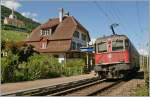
{"x":12,"y":20}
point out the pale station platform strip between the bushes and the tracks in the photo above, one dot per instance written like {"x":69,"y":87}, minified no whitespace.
{"x":18,"y":86}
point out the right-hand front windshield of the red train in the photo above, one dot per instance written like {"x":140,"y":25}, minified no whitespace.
{"x":117,"y":45}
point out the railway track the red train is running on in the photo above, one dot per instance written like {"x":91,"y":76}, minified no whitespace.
{"x":89,"y":89}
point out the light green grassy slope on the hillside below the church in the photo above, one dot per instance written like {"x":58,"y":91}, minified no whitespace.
{"x":9,"y":35}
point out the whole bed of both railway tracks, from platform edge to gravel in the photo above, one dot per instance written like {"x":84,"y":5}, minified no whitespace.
{"x":85,"y":87}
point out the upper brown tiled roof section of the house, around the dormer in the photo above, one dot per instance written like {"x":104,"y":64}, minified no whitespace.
{"x":64,"y":29}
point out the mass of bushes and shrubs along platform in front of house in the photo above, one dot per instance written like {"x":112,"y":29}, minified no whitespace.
{"x":23,"y":63}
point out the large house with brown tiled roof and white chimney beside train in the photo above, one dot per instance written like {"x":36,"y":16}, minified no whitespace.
{"x":61,"y":37}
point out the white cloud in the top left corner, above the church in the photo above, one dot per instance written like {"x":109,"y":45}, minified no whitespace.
{"x":11,"y":4}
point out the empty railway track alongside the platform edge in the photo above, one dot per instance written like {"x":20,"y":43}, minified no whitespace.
{"x":51,"y":90}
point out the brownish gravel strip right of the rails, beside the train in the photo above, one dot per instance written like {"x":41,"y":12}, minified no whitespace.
{"x":127,"y":88}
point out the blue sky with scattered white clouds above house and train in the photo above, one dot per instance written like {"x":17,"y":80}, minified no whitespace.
{"x":95,"y":16}
